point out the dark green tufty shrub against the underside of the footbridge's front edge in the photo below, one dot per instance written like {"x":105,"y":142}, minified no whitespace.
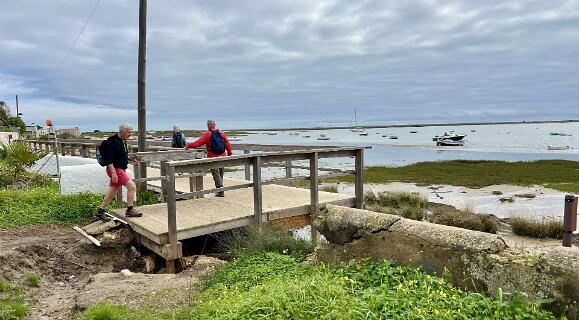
{"x":254,"y":240}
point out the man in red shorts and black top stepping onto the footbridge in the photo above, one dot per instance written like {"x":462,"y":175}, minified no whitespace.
{"x":115,"y":156}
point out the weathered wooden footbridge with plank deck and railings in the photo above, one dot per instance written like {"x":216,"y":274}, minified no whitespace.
{"x":189,"y":210}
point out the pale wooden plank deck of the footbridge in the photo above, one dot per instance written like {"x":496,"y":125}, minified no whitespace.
{"x":212,"y":214}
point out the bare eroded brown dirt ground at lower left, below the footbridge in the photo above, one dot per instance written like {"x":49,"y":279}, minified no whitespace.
{"x":75,"y":274}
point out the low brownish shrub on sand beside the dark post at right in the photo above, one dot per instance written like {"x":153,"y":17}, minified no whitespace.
{"x":535,"y":228}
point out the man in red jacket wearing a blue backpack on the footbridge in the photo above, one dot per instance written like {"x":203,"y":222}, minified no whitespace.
{"x":206,"y":140}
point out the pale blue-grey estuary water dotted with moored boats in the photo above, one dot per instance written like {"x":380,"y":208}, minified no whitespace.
{"x":512,"y":142}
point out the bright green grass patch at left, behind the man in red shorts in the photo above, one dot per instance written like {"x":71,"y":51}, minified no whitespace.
{"x":46,"y":205}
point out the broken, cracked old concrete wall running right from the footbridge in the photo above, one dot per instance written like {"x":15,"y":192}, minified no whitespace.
{"x":472,"y":259}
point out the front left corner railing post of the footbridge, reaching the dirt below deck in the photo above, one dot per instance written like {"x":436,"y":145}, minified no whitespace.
{"x":171,"y":216}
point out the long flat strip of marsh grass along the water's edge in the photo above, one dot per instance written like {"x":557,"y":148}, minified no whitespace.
{"x":558,"y":174}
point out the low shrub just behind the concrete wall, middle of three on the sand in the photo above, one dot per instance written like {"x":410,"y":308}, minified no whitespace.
{"x":465,"y":219}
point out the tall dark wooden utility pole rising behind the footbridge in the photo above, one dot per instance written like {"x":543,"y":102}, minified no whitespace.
{"x":142,"y":110}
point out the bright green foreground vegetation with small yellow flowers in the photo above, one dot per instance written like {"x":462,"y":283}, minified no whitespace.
{"x":274,"y":286}
